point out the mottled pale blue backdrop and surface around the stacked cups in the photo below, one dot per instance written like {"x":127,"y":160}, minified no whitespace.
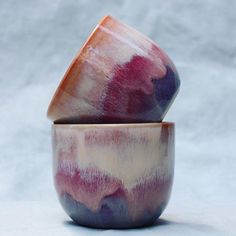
{"x":38,"y":40}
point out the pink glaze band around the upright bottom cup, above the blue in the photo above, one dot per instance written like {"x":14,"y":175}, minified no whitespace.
{"x":91,"y":186}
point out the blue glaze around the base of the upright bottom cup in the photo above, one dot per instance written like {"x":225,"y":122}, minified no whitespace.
{"x":112,"y":214}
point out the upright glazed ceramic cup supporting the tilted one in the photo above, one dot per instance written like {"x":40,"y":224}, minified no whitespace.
{"x":113,"y":175}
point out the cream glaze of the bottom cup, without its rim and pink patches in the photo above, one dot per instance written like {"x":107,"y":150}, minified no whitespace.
{"x":131,"y":162}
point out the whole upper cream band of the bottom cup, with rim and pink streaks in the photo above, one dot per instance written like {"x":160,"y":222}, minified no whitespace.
{"x":129,"y":152}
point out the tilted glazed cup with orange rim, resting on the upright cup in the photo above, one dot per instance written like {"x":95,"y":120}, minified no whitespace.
{"x":119,"y":76}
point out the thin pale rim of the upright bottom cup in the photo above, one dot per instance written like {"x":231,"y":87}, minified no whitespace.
{"x":118,"y":125}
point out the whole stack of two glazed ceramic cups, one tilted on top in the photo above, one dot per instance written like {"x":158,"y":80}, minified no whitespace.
{"x":113,"y":157}
